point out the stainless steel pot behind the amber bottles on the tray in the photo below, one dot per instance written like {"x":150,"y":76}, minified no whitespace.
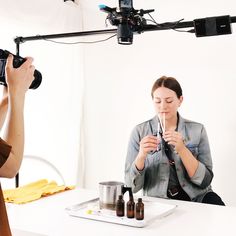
{"x":109,"y":192}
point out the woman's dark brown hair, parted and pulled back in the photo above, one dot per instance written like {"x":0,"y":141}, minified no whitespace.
{"x":167,"y":82}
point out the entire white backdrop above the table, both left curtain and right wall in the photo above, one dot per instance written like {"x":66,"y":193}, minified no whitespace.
{"x":107,"y":86}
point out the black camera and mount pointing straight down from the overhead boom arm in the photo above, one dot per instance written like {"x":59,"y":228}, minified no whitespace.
{"x":127,"y":19}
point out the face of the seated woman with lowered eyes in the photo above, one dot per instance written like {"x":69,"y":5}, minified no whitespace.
{"x":166,"y":102}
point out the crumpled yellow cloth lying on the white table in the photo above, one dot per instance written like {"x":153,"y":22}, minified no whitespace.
{"x":33,"y":191}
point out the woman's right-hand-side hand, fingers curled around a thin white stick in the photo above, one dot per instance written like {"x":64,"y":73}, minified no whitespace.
{"x":174,"y":138}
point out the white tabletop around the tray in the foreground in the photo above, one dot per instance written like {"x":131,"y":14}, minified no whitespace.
{"x":47,"y":216}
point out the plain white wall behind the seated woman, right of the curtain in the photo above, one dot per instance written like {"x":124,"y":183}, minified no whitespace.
{"x":118,"y":80}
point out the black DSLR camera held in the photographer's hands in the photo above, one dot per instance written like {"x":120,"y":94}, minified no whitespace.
{"x":17,"y":62}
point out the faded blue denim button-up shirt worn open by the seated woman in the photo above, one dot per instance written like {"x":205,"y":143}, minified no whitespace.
{"x":154,"y":178}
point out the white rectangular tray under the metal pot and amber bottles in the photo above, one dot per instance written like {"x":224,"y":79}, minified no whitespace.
{"x":90,"y":210}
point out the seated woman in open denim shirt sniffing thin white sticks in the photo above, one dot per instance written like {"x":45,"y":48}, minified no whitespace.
{"x":169,"y":156}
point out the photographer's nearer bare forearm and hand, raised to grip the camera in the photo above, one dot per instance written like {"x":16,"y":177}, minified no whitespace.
{"x":18,"y":81}
